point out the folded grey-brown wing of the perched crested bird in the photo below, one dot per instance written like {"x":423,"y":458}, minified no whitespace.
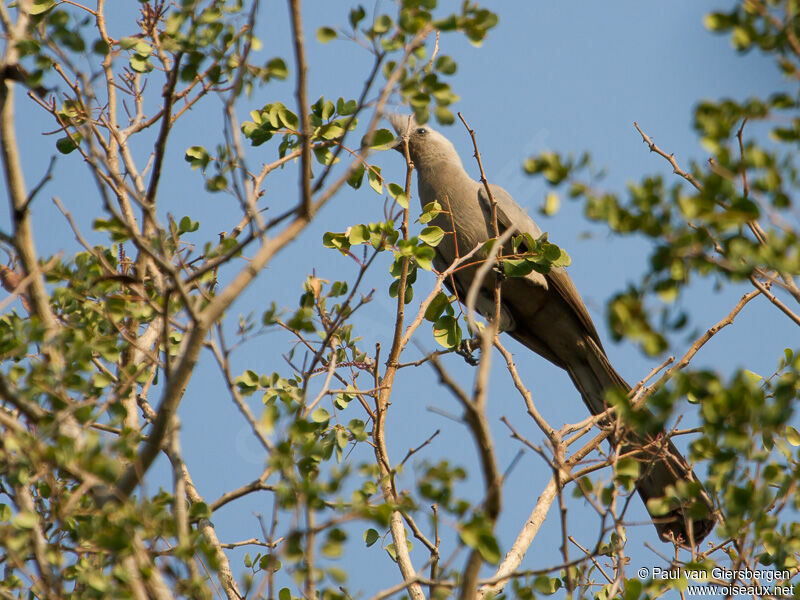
{"x":510,"y":214}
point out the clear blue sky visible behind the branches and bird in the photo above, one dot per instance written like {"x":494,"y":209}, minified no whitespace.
{"x":566,"y":76}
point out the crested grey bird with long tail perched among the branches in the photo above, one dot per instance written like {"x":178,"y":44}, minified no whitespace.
{"x":543,"y":312}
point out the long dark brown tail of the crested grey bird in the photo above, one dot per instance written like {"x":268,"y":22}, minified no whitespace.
{"x":662,"y":465}
